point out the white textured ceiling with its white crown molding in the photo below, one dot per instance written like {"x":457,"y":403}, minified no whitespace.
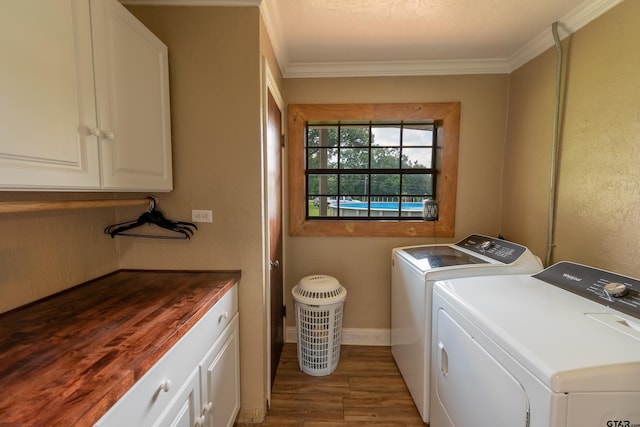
{"x":314,"y":38}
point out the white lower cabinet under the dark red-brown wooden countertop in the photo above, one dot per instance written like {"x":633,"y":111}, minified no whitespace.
{"x":195,"y":384}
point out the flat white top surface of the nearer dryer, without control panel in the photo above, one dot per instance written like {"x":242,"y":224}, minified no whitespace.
{"x":568,"y":342}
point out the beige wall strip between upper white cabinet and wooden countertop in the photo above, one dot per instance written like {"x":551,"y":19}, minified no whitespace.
{"x":45,"y":252}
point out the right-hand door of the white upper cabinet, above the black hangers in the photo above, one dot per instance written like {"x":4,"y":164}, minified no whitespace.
{"x":132,"y":91}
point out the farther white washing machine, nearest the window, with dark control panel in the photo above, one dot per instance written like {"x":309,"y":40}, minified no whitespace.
{"x":414,"y":270}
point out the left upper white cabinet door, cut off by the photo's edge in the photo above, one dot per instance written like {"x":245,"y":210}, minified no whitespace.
{"x":47,"y":103}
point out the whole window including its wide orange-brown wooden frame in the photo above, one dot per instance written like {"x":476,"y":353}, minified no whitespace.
{"x":364,"y":169}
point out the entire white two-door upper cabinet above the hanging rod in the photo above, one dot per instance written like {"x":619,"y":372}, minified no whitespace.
{"x":84,"y":99}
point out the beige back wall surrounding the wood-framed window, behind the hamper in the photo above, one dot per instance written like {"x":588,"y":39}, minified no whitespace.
{"x":363,"y":265}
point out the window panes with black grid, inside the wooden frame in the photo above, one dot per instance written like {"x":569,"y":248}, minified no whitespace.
{"x":362,"y":171}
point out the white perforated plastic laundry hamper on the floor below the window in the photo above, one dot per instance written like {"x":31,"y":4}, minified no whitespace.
{"x":319,"y":302}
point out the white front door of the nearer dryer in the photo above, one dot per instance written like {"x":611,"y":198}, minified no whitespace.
{"x":471,"y":388}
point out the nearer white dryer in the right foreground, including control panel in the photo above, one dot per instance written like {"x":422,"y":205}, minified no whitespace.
{"x":560,"y":348}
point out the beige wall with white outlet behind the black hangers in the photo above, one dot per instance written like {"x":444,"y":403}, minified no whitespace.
{"x":214,"y":57}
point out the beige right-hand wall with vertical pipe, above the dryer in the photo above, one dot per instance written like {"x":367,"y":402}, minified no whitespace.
{"x":598,"y":203}
